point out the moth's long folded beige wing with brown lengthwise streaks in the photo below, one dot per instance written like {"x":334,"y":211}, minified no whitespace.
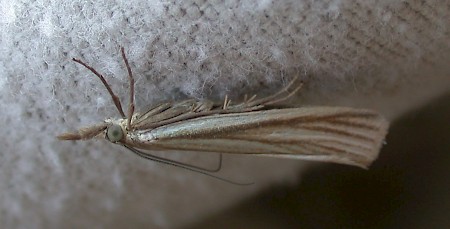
{"x":331,"y":134}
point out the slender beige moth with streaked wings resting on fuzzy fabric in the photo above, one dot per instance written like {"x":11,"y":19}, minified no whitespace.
{"x":254,"y":127}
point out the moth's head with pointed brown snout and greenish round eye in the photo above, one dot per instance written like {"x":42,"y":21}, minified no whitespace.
{"x":112,"y":131}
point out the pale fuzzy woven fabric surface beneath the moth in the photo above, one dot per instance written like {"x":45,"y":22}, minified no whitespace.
{"x":387,"y":56}
